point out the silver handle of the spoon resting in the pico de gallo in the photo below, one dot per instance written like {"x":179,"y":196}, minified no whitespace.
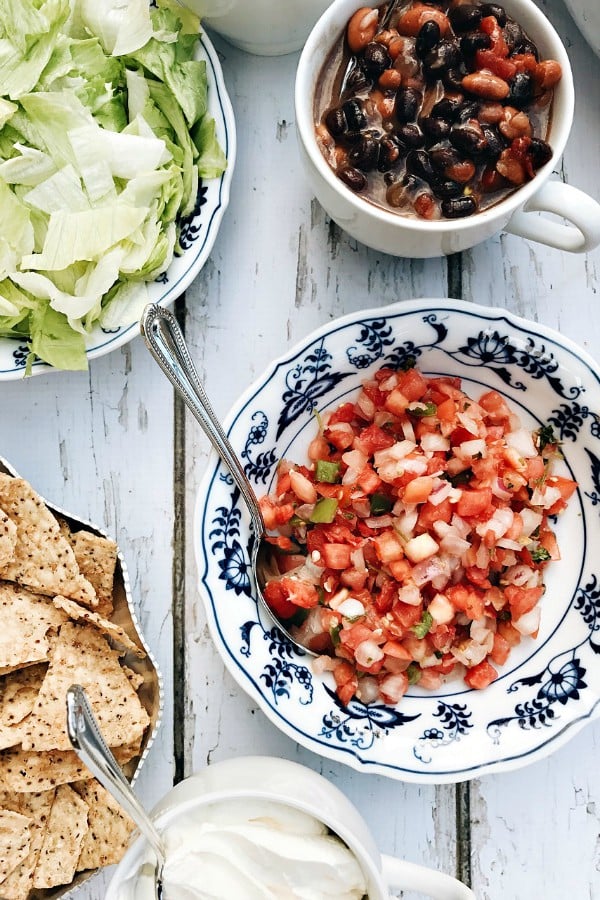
{"x":167,"y":345}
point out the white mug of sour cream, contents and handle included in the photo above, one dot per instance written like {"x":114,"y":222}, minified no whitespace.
{"x":261,"y":828}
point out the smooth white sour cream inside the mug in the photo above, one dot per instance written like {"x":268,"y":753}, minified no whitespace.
{"x":251,"y":849}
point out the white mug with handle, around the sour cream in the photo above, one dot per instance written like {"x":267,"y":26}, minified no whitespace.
{"x":283,"y":782}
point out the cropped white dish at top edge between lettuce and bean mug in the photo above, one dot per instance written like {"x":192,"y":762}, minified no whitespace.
{"x":264,"y":27}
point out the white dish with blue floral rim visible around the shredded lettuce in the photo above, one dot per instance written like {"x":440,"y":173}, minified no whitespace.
{"x":198,"y":233}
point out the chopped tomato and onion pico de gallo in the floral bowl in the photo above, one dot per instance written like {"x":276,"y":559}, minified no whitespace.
{"x":413,"y":543}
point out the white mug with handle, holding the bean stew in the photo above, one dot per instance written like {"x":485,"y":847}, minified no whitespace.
{"x":400,"y":235}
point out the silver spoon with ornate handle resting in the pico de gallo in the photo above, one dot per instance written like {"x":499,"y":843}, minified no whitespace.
{"x":167,"y":345}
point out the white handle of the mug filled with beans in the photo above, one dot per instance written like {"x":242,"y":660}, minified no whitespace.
{"x":582,"y":212}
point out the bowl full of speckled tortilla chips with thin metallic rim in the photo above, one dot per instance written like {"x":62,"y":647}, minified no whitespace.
{"x":66,"y":616}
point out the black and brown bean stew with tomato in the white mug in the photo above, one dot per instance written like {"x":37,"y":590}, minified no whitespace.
{"x":438,"y":113}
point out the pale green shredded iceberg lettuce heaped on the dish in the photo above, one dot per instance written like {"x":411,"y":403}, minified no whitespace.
{"x":104,"y":134}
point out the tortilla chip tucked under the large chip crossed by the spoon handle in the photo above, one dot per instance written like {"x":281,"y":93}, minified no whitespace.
{"x":26,"y":771}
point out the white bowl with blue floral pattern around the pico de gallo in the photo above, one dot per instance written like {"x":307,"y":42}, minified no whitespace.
{"x":550,"y":686}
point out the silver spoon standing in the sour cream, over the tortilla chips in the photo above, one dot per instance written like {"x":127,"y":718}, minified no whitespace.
{"x":91,"y":748}
